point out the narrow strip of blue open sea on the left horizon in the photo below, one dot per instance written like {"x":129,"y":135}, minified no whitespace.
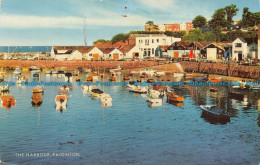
{"x":24,"y":49}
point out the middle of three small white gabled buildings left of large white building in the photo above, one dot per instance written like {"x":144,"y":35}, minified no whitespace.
{"x":111,"y":54}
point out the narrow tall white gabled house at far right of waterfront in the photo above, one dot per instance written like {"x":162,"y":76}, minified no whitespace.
{"x":239,"y":49}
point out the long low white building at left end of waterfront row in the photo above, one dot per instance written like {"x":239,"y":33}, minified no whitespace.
{"x":66,"y":53}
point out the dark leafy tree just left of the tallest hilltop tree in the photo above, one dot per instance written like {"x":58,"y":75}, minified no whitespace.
{"x":218,"y":19}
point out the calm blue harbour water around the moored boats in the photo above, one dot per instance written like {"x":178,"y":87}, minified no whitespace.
{"x":129,"y":132}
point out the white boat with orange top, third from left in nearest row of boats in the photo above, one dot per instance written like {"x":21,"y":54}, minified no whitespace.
{"x":61,"y":100}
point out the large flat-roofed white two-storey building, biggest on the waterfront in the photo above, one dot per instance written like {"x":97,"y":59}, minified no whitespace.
{"x":149,"y":42}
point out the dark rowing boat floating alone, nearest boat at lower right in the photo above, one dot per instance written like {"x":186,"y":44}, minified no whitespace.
{"x":215,"y":112}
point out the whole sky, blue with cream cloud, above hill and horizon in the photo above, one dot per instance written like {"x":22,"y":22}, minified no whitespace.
{"x":60,"y":22}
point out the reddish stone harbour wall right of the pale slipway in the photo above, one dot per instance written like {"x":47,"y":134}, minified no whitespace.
{"x":252,"y":72}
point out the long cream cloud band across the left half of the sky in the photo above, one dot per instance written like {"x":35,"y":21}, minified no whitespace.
{"x":70,"y":22}
